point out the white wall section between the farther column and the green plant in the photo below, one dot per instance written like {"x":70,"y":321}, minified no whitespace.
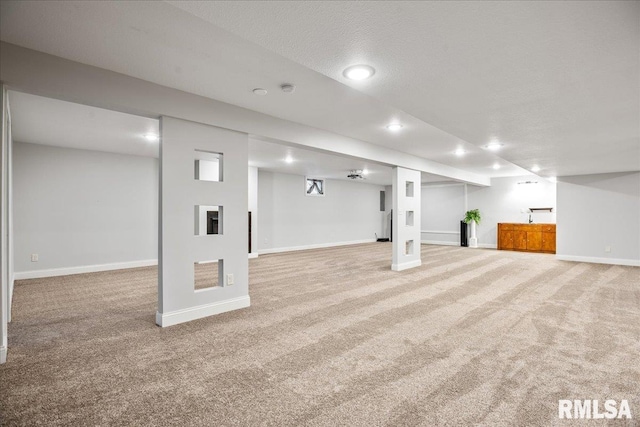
{"x":443,"y":206}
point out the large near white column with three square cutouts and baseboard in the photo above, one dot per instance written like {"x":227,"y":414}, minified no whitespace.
{"x":181,"y":194}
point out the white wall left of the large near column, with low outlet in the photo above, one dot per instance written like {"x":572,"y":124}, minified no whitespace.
{"x":82,"y":208}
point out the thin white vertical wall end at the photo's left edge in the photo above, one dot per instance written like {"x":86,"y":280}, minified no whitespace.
{"x":4,"y":218}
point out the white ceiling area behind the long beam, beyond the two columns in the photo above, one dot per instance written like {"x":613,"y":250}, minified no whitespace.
{"x":45,"y":121}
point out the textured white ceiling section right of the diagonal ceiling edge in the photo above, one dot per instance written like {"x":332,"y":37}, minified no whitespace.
{"x":557,"y":82}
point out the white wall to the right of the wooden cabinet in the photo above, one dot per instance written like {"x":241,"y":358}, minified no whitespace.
{"x":596,"y":211}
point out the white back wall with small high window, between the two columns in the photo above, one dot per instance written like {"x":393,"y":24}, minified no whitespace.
{"x":289,"y":219}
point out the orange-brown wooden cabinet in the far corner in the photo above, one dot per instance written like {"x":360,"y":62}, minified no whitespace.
{"x":527,"y":237}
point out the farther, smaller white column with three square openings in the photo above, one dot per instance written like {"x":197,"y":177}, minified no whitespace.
{"x":406,"y":219}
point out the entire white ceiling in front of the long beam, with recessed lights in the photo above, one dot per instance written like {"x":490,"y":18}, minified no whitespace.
{"x":556,"y":82}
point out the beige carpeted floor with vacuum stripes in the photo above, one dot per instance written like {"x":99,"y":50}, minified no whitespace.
{"x":333,"y":338}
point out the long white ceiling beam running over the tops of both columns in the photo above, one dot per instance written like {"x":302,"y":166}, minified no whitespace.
{"x":47,"y":75}
